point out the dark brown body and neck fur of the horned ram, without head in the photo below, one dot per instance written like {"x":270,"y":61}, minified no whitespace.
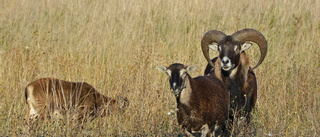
{"x":244,"y":79}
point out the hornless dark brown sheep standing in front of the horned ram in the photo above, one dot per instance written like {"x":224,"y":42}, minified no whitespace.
{"x":202,"y":102}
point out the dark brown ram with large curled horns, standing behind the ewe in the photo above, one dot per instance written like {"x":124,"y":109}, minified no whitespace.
{"x":232,"y":66}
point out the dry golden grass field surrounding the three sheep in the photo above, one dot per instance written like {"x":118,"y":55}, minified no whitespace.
{"x":115,"y":46}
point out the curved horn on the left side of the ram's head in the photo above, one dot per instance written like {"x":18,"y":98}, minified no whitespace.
{"x":208,"y":38}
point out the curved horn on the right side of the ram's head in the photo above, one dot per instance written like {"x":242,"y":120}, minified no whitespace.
{"x":254,"y":36}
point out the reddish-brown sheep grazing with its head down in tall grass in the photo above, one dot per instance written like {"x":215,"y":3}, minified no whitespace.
{"x":57,"y":98}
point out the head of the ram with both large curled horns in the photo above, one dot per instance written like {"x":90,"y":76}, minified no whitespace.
{"x":230,"y":47}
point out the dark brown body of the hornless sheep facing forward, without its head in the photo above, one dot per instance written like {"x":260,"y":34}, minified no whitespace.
{"x":208,"y":104}
